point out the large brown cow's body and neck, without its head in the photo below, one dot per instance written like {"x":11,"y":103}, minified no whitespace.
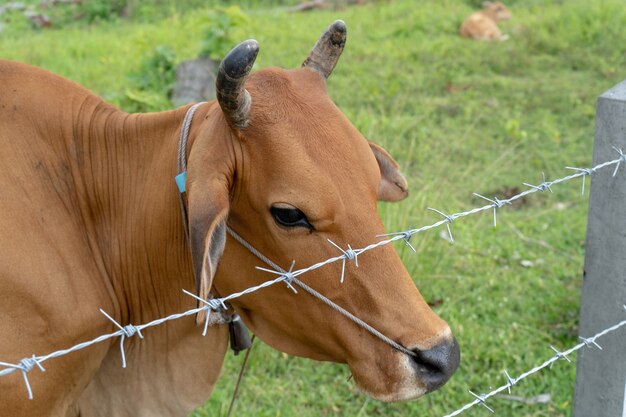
{"x":83,"y":227}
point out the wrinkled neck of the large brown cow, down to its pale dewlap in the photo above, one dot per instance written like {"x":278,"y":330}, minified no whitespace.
{"x":127,"y":165}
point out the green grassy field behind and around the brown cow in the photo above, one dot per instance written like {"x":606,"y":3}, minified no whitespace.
{"x":460,"y":117}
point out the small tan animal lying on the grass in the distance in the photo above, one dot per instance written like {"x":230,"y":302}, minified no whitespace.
{"x":483,"y":25}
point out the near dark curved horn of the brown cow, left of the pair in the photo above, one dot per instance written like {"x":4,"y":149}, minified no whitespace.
{"x":230,"y":84}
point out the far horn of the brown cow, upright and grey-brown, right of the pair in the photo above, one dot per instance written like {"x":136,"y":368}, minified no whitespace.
{"x":327,"y":50}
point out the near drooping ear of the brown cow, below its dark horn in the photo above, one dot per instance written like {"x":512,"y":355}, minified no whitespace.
{"x":209,"y":204}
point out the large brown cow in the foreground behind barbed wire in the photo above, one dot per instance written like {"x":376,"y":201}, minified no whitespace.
{"x":90,"y":219}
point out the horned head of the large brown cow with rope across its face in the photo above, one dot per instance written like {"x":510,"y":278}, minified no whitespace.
{"x":278,"y":161}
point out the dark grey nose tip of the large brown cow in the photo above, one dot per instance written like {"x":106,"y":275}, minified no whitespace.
{"x":435,"y":366}
